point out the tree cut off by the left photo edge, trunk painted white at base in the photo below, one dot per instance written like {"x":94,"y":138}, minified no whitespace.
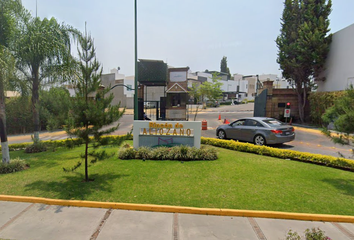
{"x":10,"y":11}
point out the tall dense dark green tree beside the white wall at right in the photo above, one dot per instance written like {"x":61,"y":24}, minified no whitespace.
{"x":303,"y":44}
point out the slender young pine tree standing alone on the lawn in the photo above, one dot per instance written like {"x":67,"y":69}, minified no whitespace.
{"x":91,"y":108}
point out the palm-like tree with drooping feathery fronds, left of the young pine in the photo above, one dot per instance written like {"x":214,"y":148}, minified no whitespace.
{"x":41,"y":49}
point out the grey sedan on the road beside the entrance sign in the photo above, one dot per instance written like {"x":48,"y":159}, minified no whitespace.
{"x":259,"y":130}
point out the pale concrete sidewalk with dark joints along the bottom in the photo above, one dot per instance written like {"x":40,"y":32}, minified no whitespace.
{"x":21,"y":221}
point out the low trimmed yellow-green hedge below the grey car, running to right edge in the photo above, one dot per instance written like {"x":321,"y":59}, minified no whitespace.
{"x":329,"y":161}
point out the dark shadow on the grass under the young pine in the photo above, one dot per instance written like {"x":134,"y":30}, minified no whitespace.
{"x":73,"y":187}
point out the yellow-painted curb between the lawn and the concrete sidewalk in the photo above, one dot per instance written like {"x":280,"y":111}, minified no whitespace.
{"x":188,"y":210}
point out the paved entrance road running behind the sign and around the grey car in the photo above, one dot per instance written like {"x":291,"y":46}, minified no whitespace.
{"x":307,"y":140}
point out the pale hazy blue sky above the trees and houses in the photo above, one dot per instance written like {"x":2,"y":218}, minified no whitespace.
{"x":193,"y":33}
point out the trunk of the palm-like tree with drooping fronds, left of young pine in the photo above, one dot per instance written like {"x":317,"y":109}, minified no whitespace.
{"x":35,"y":104}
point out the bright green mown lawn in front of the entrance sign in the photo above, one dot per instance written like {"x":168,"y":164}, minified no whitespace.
{"x":236,"y":181}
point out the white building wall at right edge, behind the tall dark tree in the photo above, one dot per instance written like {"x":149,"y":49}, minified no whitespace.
{"x":339,"y":66}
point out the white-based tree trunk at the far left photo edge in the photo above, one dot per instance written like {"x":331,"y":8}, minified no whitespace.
{"x":3,"y":134}
